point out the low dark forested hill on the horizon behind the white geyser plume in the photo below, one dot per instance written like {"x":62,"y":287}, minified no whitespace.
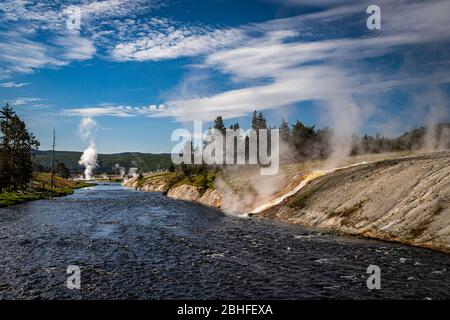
{"x":146,"y":162}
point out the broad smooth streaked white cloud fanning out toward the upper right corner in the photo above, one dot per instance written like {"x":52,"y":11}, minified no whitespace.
{"x":291,"y":71}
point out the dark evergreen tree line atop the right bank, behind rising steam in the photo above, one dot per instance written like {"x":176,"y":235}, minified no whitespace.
{"x":302,"y":142}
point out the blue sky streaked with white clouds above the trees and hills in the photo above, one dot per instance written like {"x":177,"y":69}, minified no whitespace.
{"x":141,"y":69}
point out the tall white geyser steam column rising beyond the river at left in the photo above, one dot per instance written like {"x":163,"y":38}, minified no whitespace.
{"x":89,"y":157}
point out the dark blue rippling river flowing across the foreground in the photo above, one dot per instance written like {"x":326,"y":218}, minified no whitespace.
{"x":132,"y":244}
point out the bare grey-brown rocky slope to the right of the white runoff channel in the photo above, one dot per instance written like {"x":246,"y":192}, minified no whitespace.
{"x":405,"y":200}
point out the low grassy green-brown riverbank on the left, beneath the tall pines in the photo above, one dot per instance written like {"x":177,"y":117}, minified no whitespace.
{"x":40,"y":189}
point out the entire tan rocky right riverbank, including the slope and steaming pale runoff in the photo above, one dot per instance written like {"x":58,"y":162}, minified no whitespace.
{"x":394,"y":197}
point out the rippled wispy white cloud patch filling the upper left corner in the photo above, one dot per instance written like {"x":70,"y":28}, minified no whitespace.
{"x":34,"y":34}
